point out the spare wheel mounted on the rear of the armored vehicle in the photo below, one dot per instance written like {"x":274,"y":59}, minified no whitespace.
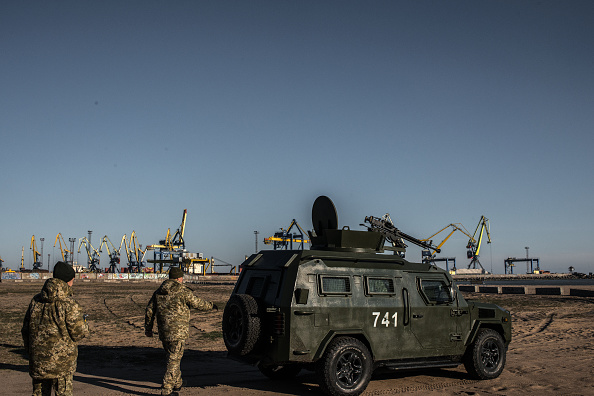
{"x":241,"y":324}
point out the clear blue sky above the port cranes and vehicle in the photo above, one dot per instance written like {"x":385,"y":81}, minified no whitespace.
{"x":115,"y":116}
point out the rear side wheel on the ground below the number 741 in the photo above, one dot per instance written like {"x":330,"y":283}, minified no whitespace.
{"x":345,"y":368}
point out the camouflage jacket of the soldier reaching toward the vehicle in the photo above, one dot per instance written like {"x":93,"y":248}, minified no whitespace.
{"x":171,"y":304}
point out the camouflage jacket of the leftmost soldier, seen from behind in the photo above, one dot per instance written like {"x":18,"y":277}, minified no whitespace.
{"x":53,"y":325}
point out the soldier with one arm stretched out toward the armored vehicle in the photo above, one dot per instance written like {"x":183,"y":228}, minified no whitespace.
{"x":171,"y":304}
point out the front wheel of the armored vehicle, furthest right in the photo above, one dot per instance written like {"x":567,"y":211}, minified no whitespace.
{"x":485,"y":357}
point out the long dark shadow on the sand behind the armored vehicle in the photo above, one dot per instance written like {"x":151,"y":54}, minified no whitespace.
{"x":142,"y":368}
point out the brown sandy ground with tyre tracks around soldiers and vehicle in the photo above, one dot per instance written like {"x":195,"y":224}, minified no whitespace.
{"x":552,"y":351}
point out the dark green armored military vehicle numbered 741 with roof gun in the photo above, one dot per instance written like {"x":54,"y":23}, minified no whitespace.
{"x":346,"y":307}
